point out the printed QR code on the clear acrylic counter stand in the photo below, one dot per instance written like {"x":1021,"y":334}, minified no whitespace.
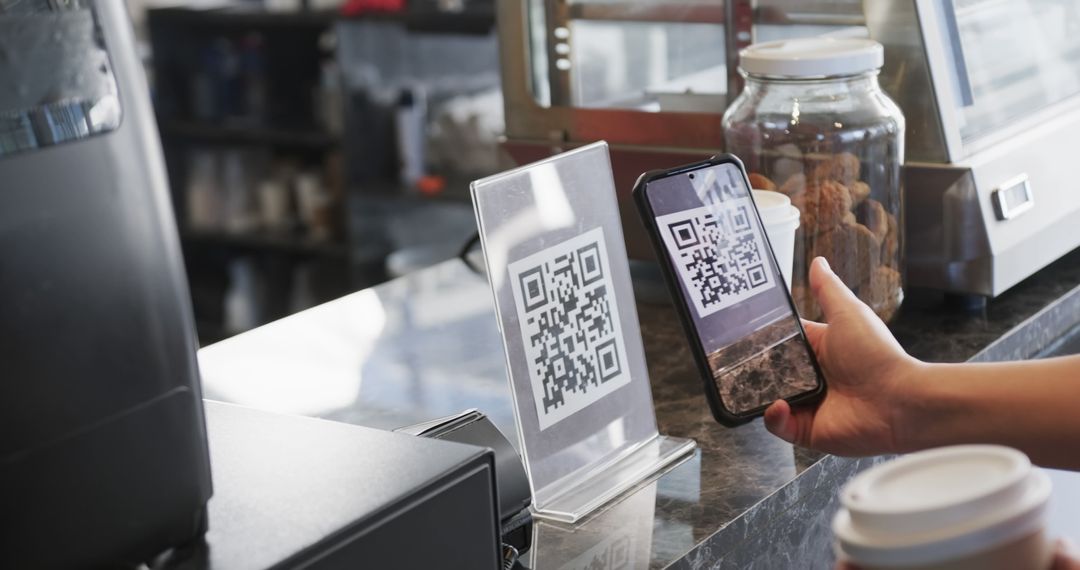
{"x":570,"y":323}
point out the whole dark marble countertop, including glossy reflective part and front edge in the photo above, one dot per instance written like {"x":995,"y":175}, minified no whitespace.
{"x":428,"y":346}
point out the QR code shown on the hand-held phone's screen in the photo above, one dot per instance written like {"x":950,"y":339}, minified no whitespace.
{"x":719,"y":253}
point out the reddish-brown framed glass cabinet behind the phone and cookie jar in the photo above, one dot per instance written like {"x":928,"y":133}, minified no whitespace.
{"x":651,"y":77}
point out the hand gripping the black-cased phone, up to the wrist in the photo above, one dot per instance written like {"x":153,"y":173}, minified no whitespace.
{"x":867,"y":372}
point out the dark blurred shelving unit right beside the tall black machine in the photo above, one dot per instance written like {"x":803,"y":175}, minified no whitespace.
{"x":249,"y":104}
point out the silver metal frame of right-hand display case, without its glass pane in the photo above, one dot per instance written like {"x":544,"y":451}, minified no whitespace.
{"x":963,"y":241}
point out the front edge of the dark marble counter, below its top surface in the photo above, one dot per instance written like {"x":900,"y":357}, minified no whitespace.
{"x":789,"y":528}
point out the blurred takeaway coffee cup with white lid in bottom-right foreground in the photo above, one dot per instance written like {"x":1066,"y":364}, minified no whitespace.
{"x":958,"y":508}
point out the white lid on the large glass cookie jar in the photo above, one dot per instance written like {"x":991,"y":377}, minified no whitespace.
{"x":811,"y":58}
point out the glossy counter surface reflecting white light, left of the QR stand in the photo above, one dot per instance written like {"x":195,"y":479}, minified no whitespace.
{"x":411,"y":350}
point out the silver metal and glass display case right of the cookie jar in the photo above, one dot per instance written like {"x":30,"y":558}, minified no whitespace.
{"x":991,"y":90}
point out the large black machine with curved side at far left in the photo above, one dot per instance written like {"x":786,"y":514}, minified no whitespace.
{"x":103,"y":445}
